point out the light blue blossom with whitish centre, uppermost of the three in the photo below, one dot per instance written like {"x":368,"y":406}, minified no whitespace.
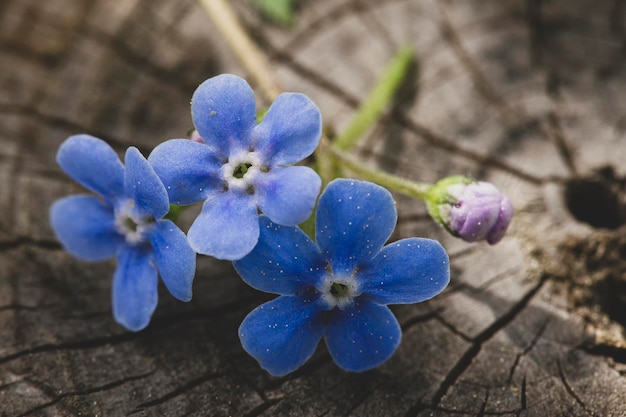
{"x":237,"y":167}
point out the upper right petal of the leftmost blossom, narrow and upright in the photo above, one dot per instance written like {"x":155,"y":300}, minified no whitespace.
{"x":144,"y":186}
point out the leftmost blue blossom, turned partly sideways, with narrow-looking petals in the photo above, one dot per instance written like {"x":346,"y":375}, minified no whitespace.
{"x":126,"y":222}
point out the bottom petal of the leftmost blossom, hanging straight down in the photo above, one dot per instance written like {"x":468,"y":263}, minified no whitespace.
{"x":135,"y":293}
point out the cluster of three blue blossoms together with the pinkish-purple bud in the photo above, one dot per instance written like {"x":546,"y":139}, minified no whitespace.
{"x":253,"y":197}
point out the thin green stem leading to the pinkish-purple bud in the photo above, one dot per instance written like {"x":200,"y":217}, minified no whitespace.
{"x":413,"y":189}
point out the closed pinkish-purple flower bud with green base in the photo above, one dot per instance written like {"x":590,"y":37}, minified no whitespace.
{"x":469,"y":209}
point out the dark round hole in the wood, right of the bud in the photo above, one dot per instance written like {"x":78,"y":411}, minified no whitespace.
{"x":597,"y":200}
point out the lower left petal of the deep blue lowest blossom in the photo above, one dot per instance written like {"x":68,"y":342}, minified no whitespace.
{"x":282,"y":334}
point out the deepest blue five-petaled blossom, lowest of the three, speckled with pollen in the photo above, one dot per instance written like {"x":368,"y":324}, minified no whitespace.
{"x":339,"y":287}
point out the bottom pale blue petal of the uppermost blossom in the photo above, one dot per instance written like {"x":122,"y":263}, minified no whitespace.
{"x":227,"y":227}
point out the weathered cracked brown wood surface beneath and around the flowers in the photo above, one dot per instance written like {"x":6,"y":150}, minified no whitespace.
{"x":527,"y":94}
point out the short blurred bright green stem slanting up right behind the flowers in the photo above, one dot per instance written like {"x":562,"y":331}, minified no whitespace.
{"x":376,"y":102}
